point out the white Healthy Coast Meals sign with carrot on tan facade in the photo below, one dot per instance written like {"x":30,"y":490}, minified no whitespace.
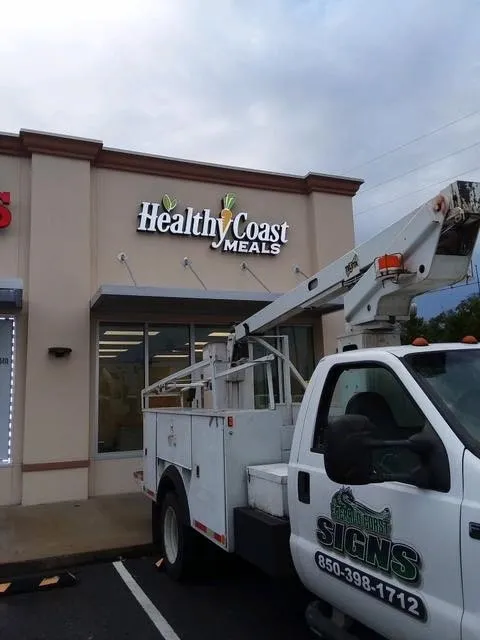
{"x":228,"y":231}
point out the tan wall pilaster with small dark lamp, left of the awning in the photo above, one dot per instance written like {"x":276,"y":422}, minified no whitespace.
{"x":57,"y":422}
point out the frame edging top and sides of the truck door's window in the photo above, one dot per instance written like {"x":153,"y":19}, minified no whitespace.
{"x":329,"y":389}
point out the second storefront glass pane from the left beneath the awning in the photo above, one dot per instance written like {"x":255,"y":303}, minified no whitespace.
{"x":168,"y":352}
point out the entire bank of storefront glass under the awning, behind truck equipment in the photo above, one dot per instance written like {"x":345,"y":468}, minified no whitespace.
{"x":124,"y":349}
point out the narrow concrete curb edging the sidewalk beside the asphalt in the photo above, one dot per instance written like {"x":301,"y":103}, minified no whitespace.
{"x":14,"y":570}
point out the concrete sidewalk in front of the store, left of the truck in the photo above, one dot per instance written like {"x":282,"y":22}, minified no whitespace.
{"x":43,"y":537}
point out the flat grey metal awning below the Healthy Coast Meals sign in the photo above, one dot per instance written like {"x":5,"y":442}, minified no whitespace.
{"x":121,"y":299}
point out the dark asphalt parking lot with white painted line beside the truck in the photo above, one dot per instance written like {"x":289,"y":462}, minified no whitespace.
{"x":133,"y":599}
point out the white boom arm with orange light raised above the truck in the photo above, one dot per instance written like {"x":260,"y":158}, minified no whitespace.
{"x":429,"y":248}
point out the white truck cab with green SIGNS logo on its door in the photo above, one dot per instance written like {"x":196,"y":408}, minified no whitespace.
{"x":382,"y":489}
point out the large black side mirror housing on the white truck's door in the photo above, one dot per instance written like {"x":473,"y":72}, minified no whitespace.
{"x":348,"y":450}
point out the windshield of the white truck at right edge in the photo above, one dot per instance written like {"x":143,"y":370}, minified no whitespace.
{"x":452,"y":377}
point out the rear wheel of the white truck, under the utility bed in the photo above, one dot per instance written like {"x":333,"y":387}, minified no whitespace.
{"x":176,"y":540}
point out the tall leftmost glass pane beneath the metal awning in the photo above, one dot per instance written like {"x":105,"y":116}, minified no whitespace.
{"x":121,"y":377}
